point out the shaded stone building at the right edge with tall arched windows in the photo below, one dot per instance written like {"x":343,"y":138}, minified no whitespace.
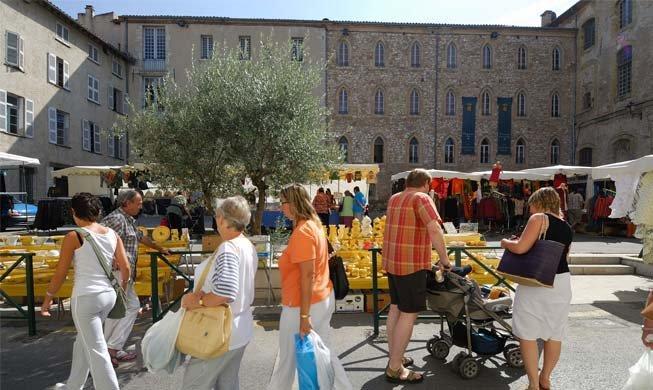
{"x":613,"y":89}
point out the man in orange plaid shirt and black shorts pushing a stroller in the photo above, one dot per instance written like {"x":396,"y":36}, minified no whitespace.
{"x":412,"y":229}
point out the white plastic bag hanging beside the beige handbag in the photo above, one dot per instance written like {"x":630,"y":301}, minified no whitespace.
{"x":158,"y":345}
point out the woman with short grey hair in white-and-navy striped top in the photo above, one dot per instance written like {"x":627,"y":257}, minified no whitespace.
{"x":230,"y":281}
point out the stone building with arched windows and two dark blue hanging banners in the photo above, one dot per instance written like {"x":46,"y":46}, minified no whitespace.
{"x":450,"y":97}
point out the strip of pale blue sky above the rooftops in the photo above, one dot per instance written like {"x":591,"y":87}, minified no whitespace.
{"x":506,"y":12}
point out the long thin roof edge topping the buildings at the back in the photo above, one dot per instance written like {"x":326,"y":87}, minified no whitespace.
{"x":316,"y":23}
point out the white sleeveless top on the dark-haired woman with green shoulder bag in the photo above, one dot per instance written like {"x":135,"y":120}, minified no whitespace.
{"x":90,"y":277}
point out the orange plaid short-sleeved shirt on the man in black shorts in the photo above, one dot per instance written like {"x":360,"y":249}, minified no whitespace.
{"x":406,"y":242}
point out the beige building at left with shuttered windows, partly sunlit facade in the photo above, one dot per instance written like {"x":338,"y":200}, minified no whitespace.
{"x":62,"y":89}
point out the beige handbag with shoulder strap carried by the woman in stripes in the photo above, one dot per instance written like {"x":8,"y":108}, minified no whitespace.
{"x":204,"y":333}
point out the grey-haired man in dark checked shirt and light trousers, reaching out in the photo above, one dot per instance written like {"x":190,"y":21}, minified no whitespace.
{"x":122,"y":221}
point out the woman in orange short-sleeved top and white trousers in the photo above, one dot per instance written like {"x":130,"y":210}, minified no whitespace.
{"x":306,"y":291}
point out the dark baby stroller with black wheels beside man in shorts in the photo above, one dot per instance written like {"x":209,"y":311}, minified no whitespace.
{"x":476,"y":324}
